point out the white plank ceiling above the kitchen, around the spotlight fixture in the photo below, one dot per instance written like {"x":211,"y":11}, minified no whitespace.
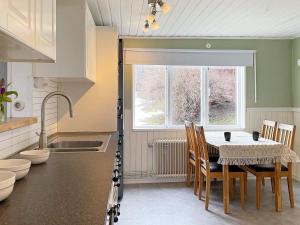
{"x":203,"y":18}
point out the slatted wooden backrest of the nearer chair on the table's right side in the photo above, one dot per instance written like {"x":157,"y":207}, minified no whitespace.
{"x":285,"y":134}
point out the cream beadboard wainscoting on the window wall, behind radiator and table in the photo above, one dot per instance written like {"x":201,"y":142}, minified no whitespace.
{"x":138,"y":156}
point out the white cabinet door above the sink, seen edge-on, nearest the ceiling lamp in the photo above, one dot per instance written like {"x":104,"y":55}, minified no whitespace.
{"x":90,"y":46}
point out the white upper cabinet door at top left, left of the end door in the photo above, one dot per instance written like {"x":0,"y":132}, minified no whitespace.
{"x":20,"y":20}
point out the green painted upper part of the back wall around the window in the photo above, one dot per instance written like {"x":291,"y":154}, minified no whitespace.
{"x":274,"y":67}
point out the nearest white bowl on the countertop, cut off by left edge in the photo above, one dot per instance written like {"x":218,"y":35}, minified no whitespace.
{"x":7,"y":180}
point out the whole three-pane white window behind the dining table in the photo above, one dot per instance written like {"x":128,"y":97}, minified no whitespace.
{"x":165,"y":96}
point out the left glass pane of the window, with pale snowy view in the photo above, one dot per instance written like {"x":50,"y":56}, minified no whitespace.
{"x":149,"y":108}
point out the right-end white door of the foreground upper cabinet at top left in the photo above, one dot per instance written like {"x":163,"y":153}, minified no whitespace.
{"x":46,"y":27}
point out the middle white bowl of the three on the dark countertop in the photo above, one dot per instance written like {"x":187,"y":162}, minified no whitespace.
{"x":19,"y":166}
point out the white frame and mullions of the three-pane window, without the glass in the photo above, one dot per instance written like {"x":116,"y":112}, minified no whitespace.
{"x":240,"y":109}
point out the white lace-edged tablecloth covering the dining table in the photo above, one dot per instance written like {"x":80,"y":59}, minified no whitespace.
{"x":243,"y":150}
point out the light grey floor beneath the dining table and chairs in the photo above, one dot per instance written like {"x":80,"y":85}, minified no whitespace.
{"x":175,"y":204}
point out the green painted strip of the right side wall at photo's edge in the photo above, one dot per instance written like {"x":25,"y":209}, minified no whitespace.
{"x":296,"y":73}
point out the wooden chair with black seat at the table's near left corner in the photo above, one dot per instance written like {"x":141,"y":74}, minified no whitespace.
{"x":211,"y":170}
